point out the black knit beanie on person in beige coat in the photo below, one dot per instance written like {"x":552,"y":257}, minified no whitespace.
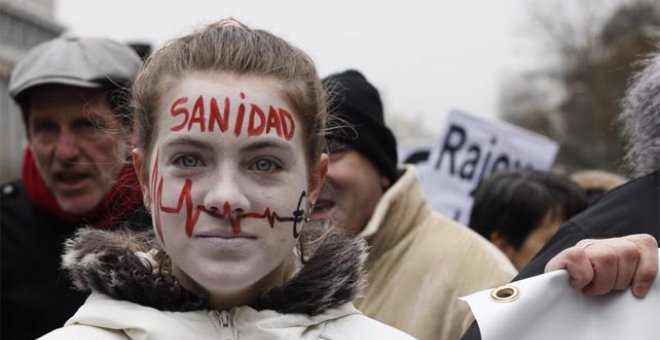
{"x":354,"y":100}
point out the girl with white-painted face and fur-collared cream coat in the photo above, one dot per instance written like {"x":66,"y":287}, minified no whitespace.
{"x":229,"y":157}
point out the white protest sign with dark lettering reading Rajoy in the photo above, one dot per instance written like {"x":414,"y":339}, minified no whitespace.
{"x":470,"y":149}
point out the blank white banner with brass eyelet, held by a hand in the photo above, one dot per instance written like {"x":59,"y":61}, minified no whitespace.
{"x":545,"y":307}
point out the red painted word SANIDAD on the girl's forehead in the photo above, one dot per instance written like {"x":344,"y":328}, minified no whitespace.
{"x":210,"y":114}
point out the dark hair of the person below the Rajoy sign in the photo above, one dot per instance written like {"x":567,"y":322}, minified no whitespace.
{"x":514,"y":203}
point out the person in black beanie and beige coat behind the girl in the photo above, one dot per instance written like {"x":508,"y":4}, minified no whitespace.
{"x":419,"y":262}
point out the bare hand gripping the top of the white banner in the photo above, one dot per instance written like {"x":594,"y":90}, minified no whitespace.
{"x":599,"y":266}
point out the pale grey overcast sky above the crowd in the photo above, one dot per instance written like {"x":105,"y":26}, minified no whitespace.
{"x":426,"y":57}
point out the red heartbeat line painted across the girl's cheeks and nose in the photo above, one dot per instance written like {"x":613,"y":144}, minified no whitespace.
{"x":193,"y":212}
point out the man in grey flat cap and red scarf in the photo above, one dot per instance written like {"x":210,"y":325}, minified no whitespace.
{"x":74,"y":96}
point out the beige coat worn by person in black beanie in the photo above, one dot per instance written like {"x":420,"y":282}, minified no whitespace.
{"x":420,"y":263}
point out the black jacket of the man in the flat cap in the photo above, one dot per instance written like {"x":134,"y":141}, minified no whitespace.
{"x":36,"y":295}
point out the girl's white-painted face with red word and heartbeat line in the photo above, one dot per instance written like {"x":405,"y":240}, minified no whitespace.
{"x":228,"y":181}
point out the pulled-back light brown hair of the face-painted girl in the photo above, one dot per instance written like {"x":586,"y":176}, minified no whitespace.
{"x":229,"y":46}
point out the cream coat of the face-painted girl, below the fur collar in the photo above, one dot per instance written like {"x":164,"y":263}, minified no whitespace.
{"x":105,"y":318}
